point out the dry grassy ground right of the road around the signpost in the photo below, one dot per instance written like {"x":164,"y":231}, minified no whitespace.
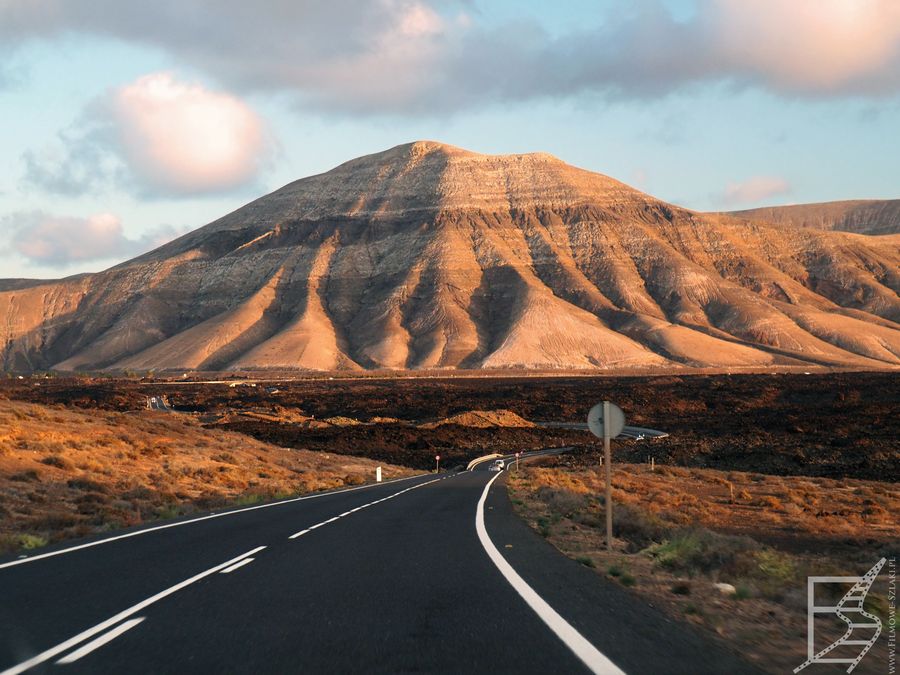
{"x":679,"y":531}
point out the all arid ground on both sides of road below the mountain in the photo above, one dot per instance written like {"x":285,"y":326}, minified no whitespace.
{"x":764,"y":479}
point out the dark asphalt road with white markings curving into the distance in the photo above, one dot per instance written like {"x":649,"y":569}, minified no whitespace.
{"x":393,"y":578}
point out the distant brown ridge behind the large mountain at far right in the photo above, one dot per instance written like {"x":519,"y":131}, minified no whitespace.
{"x":860,"y":216}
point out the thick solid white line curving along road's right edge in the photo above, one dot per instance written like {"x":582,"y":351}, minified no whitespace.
{"x":593,"y":658}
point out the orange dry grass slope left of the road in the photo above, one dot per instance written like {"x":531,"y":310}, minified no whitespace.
{"x":67,"y":472}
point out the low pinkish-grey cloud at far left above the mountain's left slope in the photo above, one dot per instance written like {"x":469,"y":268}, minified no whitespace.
{"x":57,"y":241}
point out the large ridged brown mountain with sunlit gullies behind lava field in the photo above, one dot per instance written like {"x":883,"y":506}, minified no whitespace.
{"x":429,"y":256}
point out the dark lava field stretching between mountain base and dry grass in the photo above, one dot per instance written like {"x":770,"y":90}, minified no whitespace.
{"x":829,"y":425}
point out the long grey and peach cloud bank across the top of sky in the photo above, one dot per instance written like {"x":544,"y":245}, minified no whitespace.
{"x":411,"y":56}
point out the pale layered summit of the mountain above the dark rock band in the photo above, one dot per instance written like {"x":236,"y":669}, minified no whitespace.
{"x":431,"y":176}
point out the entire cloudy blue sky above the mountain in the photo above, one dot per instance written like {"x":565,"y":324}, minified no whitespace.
{"x":704,"y":103}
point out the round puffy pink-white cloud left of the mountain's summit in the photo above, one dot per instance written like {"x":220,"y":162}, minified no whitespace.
{"x":159,"y":137}
